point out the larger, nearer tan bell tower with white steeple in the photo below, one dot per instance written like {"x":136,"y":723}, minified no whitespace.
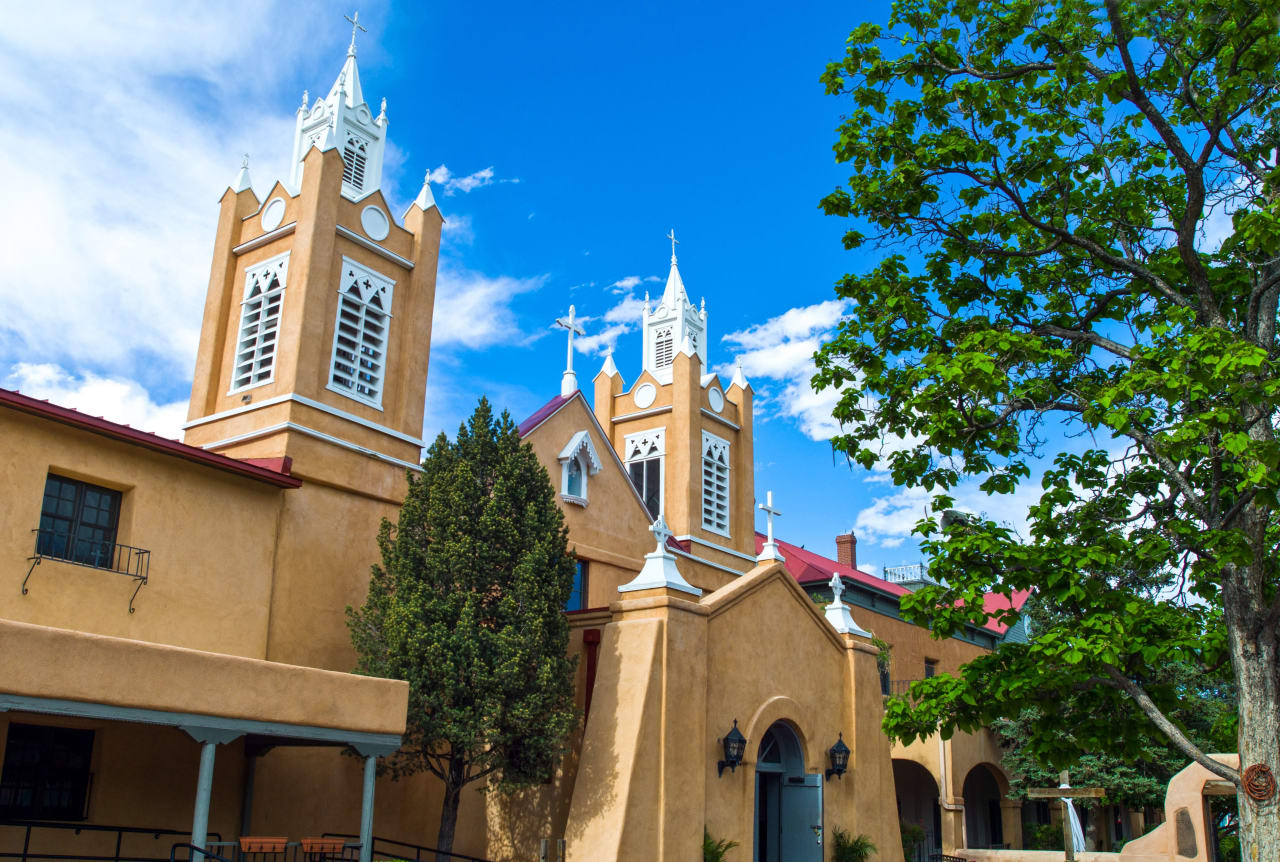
{"x":318,"y":318}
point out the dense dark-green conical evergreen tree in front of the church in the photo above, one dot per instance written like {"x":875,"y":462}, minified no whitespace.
{"x":468,"y":608}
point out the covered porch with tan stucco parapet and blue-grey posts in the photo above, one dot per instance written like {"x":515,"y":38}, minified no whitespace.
{"x":118,"y":749}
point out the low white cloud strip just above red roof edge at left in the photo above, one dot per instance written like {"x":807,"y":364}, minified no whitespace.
{"x":116,"y":399}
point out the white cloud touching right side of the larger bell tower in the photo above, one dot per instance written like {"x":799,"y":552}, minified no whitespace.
{"x":474,"y":311}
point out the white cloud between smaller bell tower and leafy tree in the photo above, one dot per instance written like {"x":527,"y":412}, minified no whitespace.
{"x":781,"y":352}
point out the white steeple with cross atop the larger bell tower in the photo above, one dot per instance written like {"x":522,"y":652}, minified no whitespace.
{"x":344,"y":121}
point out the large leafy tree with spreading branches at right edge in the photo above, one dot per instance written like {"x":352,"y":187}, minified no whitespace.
{"x":1080,"y":213}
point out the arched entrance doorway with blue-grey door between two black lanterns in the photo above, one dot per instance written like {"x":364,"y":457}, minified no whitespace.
{"x":788,"y":801}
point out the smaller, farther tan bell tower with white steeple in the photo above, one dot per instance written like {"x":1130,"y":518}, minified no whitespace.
{"x":683,"y":434}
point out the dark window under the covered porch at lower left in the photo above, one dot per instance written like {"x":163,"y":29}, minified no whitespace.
{"x":45,"y":773}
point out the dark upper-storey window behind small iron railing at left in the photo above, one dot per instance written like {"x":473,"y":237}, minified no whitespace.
{"x":77,"y":522}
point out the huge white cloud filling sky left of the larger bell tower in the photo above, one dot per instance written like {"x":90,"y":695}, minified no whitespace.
{"x":124,"y":127}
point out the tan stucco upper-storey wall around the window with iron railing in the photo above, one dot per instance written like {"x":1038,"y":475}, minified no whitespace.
{"x":212,"y":539}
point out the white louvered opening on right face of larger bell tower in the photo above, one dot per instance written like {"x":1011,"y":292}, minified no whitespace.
{"x":360,"y":335}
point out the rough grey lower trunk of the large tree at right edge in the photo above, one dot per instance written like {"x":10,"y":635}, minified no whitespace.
{"x":1256,"y":662}
